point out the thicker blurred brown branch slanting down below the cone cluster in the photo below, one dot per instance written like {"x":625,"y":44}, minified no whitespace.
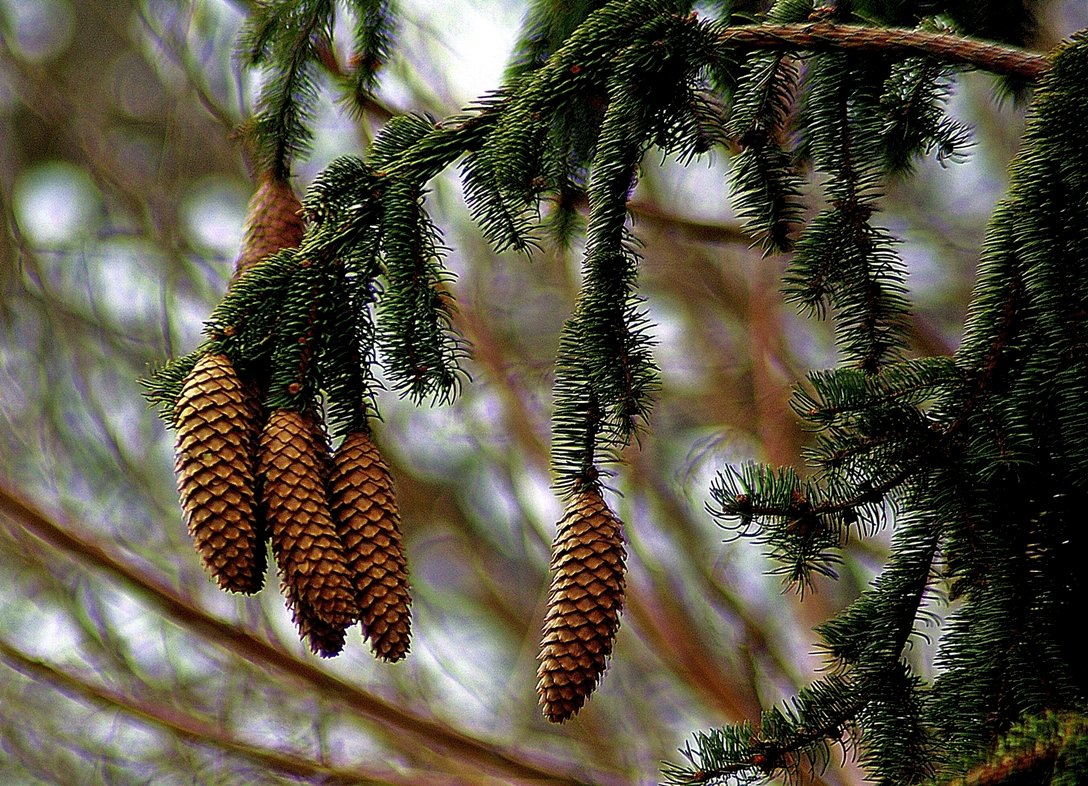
{"x":430,"y":734}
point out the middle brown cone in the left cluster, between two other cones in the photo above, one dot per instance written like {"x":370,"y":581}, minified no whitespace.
{"x":304,"y":539}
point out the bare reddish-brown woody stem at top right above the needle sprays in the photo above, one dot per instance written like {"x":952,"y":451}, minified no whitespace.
{"x":825,"y":36}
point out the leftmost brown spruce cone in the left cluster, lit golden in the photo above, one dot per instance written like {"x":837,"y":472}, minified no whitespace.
{"x":215,"y":470}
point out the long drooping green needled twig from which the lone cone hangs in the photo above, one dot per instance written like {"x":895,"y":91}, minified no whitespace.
{"x":605,"y":375}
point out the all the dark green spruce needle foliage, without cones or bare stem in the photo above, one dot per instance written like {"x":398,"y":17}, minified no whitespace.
{"x":979,"y":463}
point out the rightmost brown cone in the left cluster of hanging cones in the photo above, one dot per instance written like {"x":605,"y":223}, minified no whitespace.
{"x":365,"y":509}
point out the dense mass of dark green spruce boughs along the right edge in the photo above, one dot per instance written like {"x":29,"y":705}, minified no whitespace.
{"x":982,"y":465}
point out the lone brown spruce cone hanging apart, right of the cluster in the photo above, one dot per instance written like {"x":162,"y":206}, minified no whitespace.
{"x":585,"y":605}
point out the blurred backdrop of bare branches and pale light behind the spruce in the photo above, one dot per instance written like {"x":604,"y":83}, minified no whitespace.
{"x":122,"y":199}
